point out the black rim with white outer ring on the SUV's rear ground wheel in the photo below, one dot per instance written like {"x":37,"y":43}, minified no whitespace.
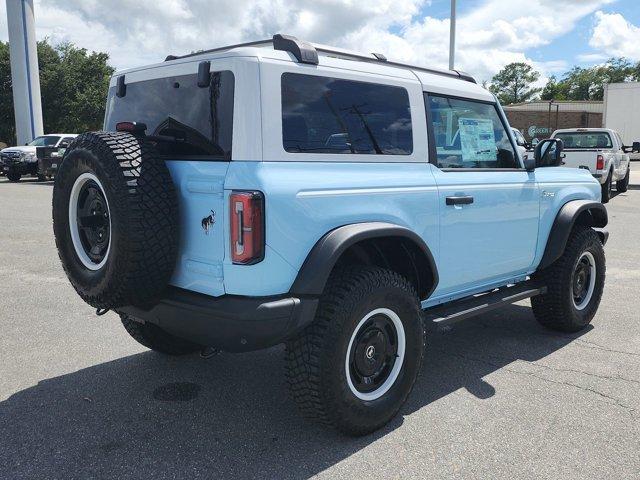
{"x":373,"y":354}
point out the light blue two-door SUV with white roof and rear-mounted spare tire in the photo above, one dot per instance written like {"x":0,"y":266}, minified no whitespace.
{"x":342,"y":204}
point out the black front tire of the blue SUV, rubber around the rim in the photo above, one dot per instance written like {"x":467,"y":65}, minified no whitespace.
{"x":556,"y":309}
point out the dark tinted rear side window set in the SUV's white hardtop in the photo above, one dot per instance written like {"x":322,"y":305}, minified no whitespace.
{"x":332,"y":115}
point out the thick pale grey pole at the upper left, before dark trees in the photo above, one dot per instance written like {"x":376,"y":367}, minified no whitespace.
{"x":25,"y":77}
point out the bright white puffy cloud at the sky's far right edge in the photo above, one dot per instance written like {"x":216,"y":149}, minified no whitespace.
{"x":614,"y":36}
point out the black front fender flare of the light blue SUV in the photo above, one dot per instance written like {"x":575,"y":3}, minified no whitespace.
{"x":587,"y":212}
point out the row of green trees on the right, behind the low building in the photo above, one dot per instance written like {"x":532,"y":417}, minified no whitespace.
{"x":514,"y":83}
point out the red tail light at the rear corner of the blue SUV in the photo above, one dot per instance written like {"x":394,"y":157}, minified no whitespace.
{"x":247,"y":227}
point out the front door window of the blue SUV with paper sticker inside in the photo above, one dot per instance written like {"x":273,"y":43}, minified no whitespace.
{"x":469,"y":134}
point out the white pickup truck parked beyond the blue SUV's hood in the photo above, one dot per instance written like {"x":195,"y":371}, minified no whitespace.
{"x":601,"y":151}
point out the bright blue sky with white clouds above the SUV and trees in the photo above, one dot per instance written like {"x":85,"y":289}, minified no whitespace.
{"x":551,"y":35}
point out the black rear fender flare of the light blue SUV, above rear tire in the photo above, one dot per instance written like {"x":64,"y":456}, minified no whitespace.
{"x":317,"y":267}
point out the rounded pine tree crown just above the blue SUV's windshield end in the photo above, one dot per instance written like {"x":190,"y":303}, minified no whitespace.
{"x":513,"y":83}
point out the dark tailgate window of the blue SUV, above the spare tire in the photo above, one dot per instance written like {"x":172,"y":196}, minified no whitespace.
{"x":181,"y":117}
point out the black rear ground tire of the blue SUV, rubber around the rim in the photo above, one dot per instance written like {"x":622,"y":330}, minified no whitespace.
{"x":315,"y":359}
